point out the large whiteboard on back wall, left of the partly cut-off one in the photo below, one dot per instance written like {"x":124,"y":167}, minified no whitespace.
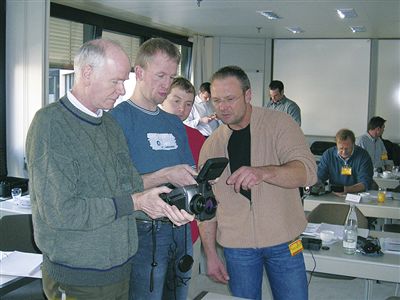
{"x":328,"y":79}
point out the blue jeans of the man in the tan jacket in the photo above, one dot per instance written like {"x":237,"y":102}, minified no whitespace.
{"x":286,"y":273}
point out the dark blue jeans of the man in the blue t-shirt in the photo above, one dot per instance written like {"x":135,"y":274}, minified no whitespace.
{"x":168,"y":281}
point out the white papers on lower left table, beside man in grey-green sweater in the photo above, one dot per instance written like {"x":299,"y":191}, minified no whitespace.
{"x":21,"y":264}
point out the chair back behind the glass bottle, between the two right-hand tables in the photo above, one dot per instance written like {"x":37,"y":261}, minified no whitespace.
{"x":335,"y":214}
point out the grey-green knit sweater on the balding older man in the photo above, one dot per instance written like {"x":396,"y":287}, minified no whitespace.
{"x":81,"y":178}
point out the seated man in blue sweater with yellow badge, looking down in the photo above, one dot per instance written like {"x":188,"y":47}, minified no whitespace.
{"x":346,"y":165}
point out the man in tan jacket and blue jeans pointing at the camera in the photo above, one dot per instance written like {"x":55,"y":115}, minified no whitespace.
{"x":259,"y":213}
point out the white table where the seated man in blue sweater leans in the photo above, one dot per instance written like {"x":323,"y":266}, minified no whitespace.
{"x":368,"y":205}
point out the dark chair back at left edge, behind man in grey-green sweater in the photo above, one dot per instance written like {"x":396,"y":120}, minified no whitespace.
{"x":16,"y":234}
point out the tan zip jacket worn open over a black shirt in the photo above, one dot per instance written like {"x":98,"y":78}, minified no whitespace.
{"x":275,"y":215}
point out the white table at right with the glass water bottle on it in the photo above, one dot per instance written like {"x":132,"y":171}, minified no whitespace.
{"x":370,"y":268}
